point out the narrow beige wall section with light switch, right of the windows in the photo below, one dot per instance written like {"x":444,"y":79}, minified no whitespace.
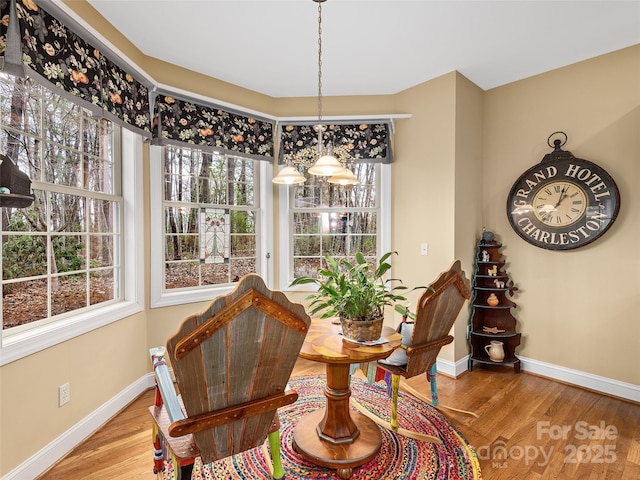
{"x":423,"y":209}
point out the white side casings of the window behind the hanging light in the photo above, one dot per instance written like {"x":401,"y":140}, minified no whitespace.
{"x":285,"y":214}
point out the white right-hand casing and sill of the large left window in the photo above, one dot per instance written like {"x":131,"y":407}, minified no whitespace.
{"x":16,"y":345}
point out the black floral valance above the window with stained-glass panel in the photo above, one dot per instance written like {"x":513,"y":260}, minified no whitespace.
{"x":179,"y":121}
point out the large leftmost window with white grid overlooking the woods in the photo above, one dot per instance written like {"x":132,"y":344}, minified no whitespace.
{"x":63,"y":256}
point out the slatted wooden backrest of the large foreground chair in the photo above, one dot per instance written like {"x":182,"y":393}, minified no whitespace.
{"x":242,"y":348}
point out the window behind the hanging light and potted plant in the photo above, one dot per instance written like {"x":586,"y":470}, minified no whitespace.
{"x":325,"y":218}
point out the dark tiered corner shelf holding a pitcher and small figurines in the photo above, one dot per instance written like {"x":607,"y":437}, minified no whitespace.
{"x":491,"y":317}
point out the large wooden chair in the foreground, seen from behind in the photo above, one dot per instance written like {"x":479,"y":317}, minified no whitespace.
{"x":231,"y":364}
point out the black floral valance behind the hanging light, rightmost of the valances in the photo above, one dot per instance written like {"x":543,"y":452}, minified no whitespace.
{"x":365,"y":141}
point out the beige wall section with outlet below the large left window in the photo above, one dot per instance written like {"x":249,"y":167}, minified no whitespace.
{"x":98,"y":365}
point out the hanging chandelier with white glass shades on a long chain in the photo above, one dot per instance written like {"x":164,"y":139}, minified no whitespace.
{"x":326,"y":161}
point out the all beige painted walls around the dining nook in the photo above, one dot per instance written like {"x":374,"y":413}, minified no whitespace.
{"x":456,"y":158}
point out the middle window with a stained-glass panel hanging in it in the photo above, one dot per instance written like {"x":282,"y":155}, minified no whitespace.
{"x":211,"y":218}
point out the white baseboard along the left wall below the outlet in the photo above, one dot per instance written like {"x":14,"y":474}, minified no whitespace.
{"x":58,"y":448}
